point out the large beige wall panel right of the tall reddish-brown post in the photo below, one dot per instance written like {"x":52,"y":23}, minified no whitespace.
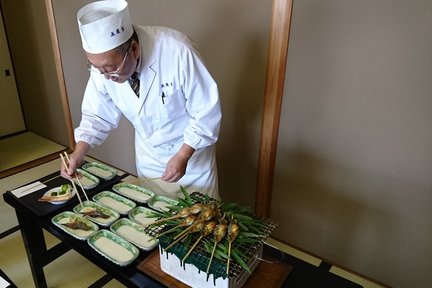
{"x":353,"y":178}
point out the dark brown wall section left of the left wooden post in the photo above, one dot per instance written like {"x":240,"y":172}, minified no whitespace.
{"x":32,"y":56}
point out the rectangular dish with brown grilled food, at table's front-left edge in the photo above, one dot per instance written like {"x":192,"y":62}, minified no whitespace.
{"x":75,"y":225}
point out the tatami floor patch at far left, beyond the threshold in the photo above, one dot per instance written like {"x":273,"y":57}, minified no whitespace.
{"x":24,"y":148}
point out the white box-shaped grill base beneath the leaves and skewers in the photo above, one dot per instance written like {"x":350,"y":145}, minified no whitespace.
{"x":192,"y":276}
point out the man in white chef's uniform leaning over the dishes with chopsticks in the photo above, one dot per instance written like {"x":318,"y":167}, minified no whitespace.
{"x":155,"y":77}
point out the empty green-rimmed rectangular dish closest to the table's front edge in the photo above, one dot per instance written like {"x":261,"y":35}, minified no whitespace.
{"x":113,"y":247}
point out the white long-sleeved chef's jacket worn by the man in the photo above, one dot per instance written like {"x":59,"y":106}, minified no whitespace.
{"x":178,"y":103}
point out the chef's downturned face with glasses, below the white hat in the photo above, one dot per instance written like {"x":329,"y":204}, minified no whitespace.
{"x":117,"y":64}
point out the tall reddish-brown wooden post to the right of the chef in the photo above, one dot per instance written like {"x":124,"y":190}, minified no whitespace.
{"x":273,"y":94}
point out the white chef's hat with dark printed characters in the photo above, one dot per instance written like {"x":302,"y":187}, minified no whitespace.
{"x":104,"y":25}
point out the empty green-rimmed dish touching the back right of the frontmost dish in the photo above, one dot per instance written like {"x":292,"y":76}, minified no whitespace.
{"x":134,"y":233}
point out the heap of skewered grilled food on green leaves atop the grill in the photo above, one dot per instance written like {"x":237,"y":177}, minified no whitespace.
{"x":234,"y":233}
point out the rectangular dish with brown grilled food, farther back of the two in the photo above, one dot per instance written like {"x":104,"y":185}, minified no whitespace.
{"x":97,"y":213}
